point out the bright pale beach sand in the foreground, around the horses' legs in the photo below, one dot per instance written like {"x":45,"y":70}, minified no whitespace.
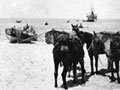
{"x":31,"y":67}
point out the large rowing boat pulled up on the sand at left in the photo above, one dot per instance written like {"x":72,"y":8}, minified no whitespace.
{"x":19,"y":36}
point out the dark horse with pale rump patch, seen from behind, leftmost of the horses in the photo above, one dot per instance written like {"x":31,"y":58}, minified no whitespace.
{"x":67,"y":50}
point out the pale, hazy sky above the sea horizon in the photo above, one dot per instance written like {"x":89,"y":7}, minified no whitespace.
{"x":105,"y":9}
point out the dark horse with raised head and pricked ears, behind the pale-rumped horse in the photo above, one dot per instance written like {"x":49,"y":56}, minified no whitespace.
{"x":87,"y":37}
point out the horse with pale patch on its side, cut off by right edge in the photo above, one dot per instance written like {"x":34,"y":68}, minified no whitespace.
{"x":111,"y":47}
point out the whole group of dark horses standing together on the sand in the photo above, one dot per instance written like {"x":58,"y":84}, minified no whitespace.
{"x":68,"y":50}
